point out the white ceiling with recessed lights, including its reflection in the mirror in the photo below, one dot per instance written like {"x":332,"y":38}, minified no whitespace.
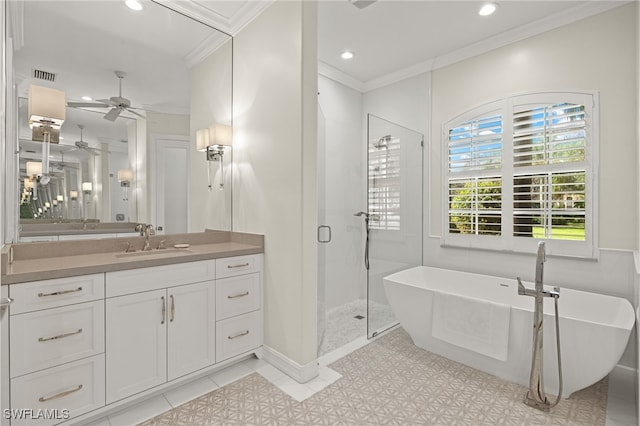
{"x":83,"y":42}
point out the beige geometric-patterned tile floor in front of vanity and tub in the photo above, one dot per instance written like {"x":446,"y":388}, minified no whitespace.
{"x":391,"y":382}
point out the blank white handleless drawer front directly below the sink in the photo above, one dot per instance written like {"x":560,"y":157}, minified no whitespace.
{"x":145,"y":279}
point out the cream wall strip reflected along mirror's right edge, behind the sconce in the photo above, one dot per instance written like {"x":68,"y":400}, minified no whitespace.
{"x":210,"y":83}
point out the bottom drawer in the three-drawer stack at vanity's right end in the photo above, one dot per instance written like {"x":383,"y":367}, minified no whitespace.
{"x":238,"y":335}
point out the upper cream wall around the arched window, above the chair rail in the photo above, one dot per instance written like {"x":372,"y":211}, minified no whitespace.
{"x":597,"y":53}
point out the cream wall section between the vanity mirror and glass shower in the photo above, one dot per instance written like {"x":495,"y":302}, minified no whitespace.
{"x":274,"y":100}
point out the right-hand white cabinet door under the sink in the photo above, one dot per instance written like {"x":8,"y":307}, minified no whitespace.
{"x":191,"y":328}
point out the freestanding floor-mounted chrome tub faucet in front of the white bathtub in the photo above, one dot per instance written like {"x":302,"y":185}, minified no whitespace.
{"x":536,"y":397}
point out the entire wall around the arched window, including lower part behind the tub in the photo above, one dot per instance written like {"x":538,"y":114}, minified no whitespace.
{"x":598,"y":53}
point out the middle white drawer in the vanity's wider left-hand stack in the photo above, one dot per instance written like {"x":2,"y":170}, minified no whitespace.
{"x":50,"y":337}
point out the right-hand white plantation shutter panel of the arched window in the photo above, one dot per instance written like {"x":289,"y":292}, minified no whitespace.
{"x":550,"y":168}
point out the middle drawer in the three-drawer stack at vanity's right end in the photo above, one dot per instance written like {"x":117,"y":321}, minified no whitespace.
{"x":237,"y":295}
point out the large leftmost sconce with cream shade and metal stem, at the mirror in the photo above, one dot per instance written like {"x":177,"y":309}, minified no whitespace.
{"x":46,"y":114}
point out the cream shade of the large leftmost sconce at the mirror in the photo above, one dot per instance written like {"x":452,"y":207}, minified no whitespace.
{"x":46,"y":107}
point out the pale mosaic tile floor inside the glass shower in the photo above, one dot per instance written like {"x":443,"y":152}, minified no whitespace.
{"x":342,"y":326}
